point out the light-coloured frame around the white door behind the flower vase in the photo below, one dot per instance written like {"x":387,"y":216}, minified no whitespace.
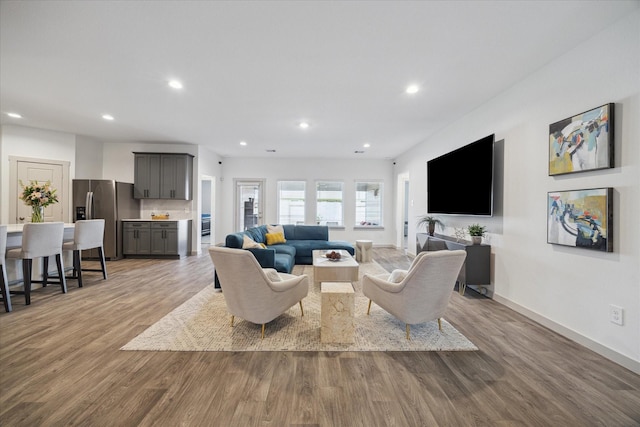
{"x":63,"y":192}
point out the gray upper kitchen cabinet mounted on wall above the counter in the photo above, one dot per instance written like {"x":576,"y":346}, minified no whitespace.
{"x":163,"y":176}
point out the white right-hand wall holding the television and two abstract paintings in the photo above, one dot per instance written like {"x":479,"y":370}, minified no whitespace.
{"x":567,"y":289}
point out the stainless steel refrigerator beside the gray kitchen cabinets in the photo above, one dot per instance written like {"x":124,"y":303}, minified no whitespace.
{"x":108,"y":199}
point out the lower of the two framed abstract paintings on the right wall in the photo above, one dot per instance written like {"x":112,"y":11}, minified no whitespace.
{"x":581,"y":218}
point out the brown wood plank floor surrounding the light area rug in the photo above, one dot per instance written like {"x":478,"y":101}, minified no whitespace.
{"x":60,"y":364}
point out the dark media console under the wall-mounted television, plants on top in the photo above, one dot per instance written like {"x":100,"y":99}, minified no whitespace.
{"x":476,"y":269}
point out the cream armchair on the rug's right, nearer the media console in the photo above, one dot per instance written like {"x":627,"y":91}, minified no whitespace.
{"x":420,"y":294}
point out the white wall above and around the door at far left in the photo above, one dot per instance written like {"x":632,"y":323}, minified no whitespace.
{"x":20,"y":141}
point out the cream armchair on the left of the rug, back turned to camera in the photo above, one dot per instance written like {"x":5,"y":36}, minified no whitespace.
{"x":255,"y":294}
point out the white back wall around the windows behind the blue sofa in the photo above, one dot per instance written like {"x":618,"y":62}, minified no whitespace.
{"x":312,"y":170}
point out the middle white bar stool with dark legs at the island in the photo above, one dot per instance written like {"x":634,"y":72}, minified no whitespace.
{"x":40,"y":240}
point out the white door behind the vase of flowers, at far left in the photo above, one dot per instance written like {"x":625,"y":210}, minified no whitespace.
{"x":42,"y":172}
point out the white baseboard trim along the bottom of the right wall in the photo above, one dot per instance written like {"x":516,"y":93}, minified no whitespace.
{"x":614,"y":356}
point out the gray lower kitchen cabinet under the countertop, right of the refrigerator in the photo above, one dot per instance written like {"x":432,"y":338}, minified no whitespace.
{"x":153,"y":239}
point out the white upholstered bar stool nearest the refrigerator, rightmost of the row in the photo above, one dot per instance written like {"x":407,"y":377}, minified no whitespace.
{"x":88,"y":234}
